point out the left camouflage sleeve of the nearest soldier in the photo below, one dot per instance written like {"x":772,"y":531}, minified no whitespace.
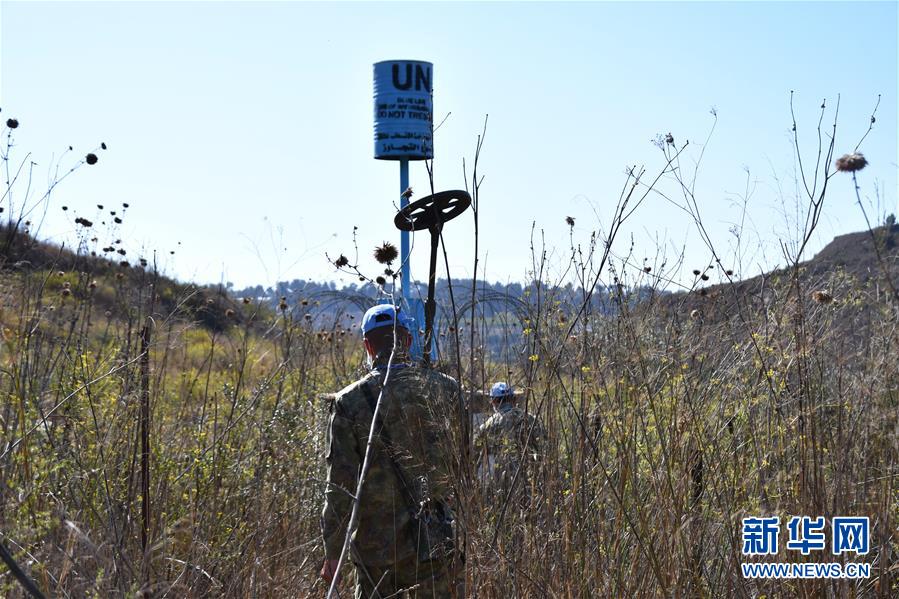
{"x":343,"y":468}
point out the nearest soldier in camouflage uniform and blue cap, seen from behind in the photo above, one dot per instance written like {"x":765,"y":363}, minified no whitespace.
{"x":419,"y":415}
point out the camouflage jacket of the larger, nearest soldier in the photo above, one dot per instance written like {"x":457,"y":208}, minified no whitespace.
{"x":419,"y":410}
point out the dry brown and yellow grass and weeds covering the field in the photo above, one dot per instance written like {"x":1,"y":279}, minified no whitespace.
{"x":160,"y":440}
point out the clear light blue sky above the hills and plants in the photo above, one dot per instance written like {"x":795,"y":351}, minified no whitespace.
{"x":244,"y":131}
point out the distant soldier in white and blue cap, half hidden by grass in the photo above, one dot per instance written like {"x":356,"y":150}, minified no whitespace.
{"x":507,"y":439}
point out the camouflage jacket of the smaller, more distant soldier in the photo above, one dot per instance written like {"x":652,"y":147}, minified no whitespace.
{"x":501,"y":440}
